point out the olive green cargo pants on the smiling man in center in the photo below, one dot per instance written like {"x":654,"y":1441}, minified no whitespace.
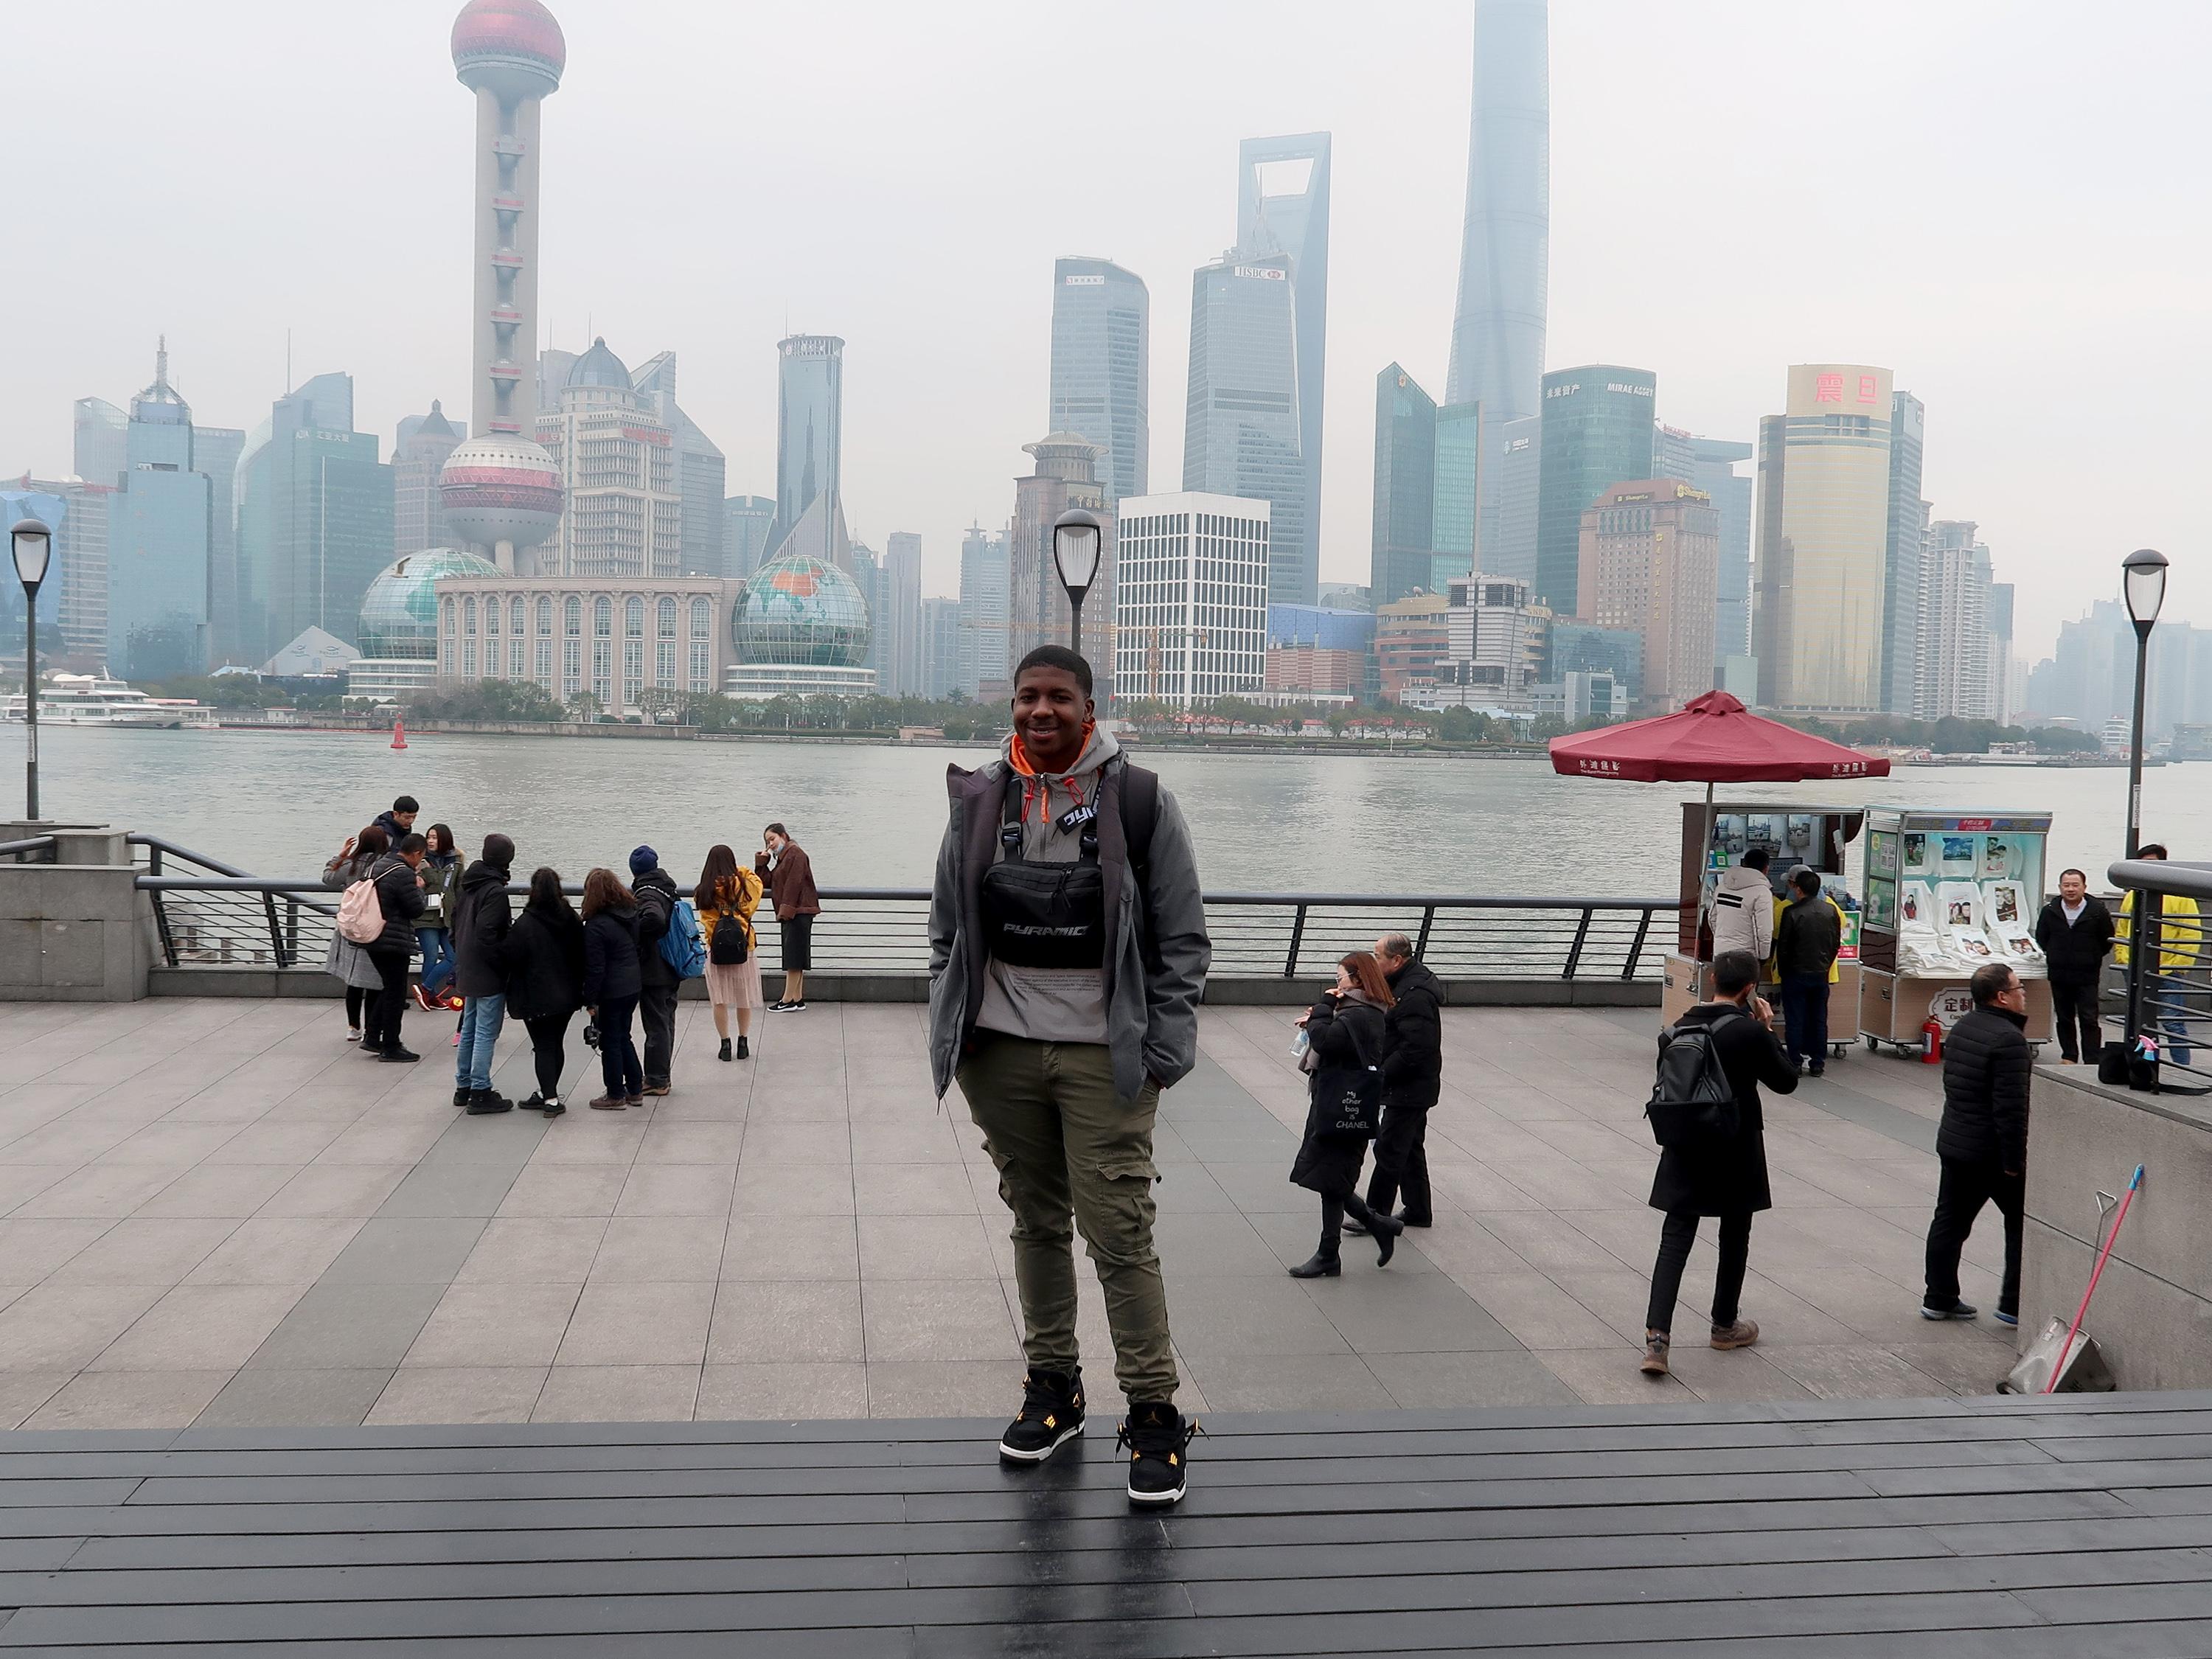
{"x":1070,"y":1149}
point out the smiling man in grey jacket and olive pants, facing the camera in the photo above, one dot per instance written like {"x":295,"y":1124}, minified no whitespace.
{"x":1067,"y":954}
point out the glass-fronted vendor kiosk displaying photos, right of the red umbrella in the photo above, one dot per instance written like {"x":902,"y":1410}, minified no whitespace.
{"x":1948,"y":895}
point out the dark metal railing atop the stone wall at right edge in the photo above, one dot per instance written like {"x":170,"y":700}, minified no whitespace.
{"x":2167,"y":963}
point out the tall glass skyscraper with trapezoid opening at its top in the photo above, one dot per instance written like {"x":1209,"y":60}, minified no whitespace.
{"x":1284,"y":207}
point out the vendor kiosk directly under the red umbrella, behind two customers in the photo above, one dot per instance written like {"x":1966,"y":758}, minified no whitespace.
{"x":1793,"y":835}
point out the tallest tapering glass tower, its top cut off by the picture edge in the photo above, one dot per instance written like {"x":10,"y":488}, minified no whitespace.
{"x":1499,"y":328}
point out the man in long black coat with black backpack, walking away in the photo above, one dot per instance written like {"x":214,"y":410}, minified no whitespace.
{"x":1718,"y":1171}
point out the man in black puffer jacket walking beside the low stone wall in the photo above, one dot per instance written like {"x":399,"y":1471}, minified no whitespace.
{"x":1983,"y":1138}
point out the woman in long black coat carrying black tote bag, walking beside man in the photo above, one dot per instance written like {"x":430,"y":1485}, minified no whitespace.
{"x":1344,"y":1063}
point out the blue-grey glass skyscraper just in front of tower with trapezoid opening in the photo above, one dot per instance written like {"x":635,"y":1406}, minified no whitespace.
{"x":1242,"y":415}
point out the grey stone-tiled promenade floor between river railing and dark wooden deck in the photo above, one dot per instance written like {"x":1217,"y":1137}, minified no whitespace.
{"x":216,"y":1213}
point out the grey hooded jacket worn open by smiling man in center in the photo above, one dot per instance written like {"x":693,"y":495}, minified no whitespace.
{"x":1156,"y":939}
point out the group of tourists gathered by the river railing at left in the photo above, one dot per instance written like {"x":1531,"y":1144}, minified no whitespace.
{"x":623,"y":957}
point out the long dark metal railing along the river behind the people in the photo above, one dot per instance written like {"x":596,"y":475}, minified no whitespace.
{"x":209,"y":915}
